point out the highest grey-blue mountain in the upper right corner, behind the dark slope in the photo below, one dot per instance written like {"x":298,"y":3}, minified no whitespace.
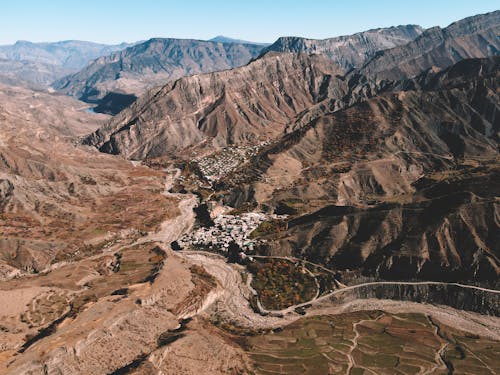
{"x":472,"y":37}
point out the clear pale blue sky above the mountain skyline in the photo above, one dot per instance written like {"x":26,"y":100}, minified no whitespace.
{"x":112,"y":21}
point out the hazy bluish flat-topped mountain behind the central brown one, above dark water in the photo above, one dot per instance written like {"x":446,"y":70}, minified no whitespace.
{"x":152,"y":63}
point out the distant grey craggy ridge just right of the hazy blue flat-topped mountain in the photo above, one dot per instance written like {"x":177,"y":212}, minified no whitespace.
{"x":350,"y":51}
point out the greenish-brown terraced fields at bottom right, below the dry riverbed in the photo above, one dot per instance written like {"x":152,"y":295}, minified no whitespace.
{"x":372,"y":342}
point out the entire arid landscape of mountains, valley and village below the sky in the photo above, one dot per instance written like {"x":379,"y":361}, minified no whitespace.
{"x":304,"y":207}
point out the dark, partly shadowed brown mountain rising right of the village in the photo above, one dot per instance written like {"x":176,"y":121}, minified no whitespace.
{"x":401,"y":185}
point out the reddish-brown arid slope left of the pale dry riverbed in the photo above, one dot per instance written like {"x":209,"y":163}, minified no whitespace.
{"x":58,"y":200}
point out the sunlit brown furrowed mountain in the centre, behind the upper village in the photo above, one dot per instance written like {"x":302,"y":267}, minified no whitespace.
{"x":247,"y":105}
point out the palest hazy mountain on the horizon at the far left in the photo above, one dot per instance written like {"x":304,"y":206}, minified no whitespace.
{"x":37,"y":65}
